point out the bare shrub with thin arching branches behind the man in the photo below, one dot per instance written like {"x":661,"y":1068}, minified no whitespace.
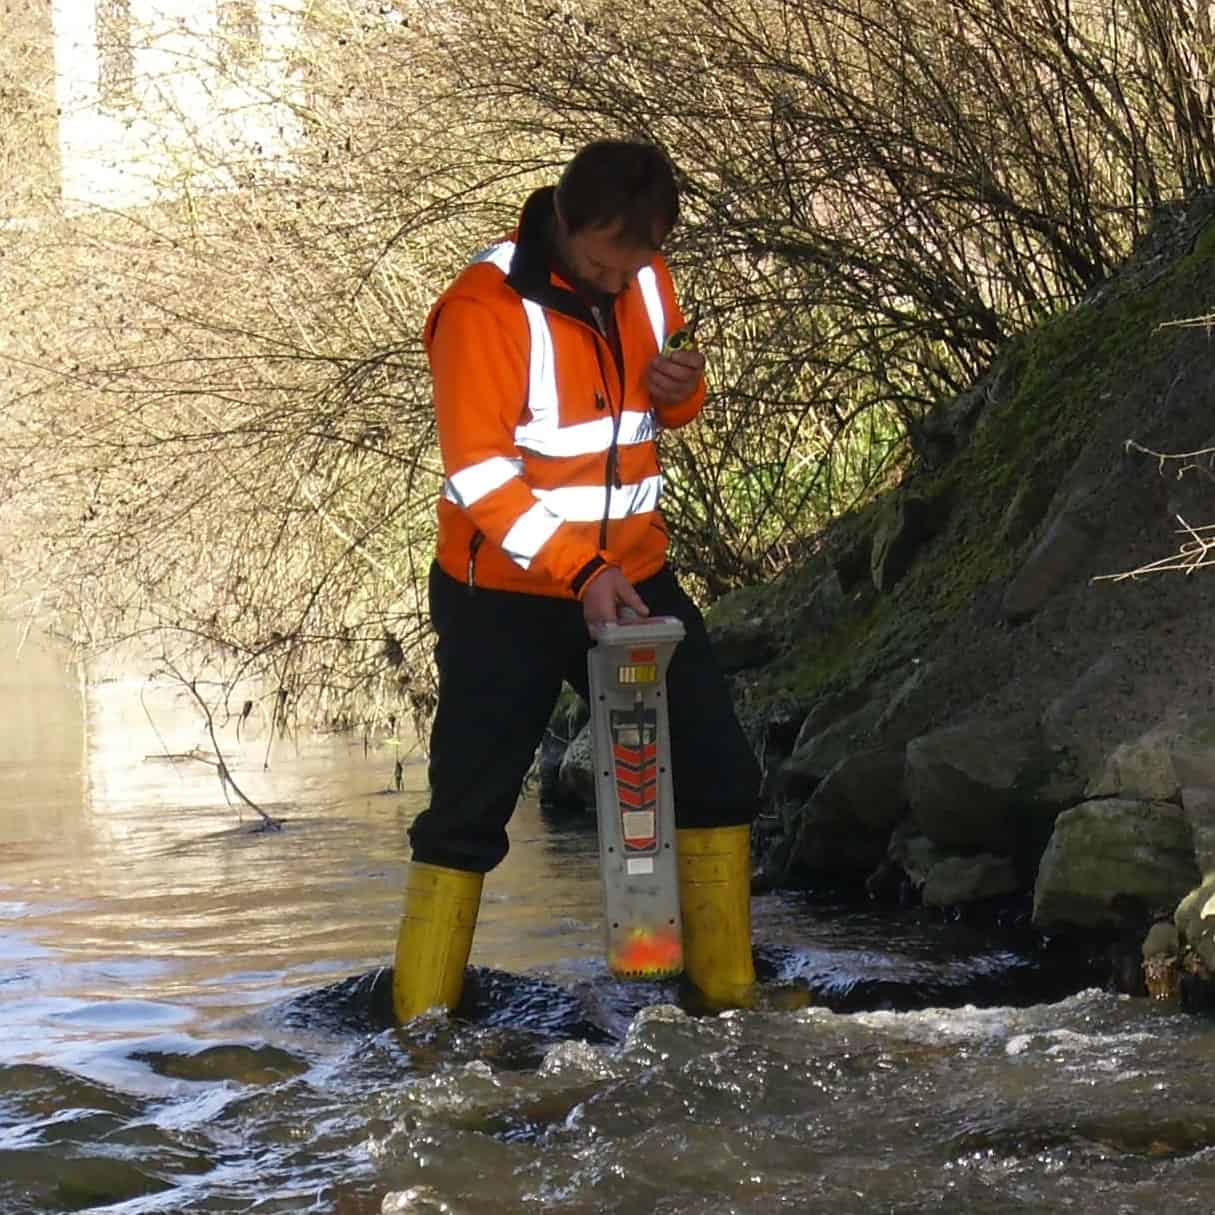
{"x":217,"y":428}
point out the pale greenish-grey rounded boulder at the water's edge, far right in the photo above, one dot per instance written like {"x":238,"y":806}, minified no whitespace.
{"x":1105,"y":854}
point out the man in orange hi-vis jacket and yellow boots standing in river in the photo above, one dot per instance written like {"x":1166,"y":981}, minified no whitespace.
{"x":550,"y":391}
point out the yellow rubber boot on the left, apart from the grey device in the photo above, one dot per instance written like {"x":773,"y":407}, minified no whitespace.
{"x":436,"y":939}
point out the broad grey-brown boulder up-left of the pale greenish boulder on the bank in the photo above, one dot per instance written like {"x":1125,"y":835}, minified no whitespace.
{"x":988,"y":787}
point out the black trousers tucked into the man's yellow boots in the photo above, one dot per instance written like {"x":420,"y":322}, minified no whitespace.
{"x":502,"y":658}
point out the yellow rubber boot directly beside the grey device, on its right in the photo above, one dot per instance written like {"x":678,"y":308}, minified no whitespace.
{"x":715,"y":902}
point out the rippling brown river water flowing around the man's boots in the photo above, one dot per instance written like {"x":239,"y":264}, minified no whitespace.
{"x":194,"y":1018}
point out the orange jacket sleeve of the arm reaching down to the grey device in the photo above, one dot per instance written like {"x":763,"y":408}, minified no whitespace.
{"x":479,"y":364}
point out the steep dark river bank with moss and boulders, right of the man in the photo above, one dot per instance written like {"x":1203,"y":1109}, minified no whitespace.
{"x":957,"y":702}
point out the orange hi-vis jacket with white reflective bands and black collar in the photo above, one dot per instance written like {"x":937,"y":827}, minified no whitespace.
{"x":549,"y":442}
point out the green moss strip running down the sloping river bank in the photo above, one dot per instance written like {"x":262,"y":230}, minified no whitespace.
{"x":1066,"y":377}
